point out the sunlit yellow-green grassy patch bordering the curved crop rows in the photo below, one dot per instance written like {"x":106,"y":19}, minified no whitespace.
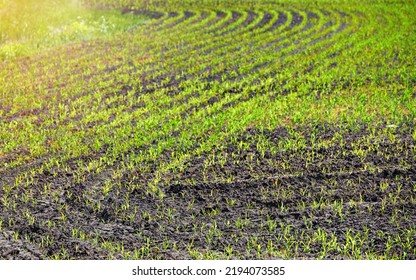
{"x":28,"y":26}
